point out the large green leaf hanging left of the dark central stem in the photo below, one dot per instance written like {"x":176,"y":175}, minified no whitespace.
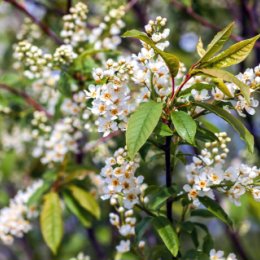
{"x":141,"y":124}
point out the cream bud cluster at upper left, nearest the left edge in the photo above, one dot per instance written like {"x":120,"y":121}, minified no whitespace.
{"x":33,"y":59}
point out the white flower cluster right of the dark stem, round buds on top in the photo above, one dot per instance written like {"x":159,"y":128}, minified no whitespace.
{"x":207,"y":172}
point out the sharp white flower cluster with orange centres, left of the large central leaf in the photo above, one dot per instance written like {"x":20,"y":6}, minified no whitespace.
{"x":111,"y":96}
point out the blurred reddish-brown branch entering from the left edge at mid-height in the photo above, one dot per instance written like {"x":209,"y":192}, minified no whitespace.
{"x":30,"y":101}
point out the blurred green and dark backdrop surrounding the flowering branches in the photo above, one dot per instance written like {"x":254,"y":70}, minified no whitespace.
{"x":188,"y":20}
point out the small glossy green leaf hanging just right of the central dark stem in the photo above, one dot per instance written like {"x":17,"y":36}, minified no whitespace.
{"x":185,"y":125}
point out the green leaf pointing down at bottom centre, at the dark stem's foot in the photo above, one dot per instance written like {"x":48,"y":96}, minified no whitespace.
{"x":167,"y":233}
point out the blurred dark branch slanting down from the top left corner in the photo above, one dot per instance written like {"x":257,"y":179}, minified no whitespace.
{"x":43,"y":27}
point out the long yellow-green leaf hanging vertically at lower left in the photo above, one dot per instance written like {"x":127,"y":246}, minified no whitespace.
{"x":51,"y":221}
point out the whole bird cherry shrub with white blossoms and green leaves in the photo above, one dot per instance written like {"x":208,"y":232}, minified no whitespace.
{"x":128,"y":117}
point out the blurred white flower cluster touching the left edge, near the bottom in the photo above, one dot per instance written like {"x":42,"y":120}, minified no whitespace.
{"x":14,"y":219}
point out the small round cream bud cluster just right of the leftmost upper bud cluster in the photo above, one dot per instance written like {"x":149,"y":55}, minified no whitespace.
{"x":64,"y":55}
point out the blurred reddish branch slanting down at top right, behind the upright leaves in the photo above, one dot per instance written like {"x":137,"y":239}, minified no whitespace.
{"x":204,"y":21}
